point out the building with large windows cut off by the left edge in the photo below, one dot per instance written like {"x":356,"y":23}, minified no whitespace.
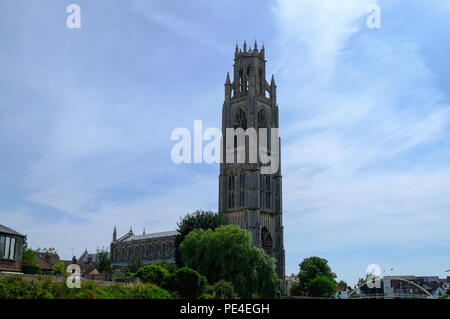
{"x":11,"y":246}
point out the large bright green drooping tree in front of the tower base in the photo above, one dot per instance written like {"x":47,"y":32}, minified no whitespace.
{"x":227,"y":254}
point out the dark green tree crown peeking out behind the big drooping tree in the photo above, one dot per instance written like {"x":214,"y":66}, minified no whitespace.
{"x":199,"y":219}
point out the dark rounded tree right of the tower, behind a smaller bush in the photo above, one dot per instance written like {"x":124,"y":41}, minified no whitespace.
{"x":312,"y":267}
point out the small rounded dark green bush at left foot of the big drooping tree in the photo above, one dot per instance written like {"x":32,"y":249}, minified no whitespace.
{"x":187,"y":282}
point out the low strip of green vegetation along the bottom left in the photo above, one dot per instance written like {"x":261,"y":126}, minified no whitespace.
{"x":44,"y":288}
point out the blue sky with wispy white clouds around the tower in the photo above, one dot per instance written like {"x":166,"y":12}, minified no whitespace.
{"x":86,"y":116}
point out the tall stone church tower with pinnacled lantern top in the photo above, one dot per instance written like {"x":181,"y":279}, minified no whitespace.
{"x":248,"y":198}
